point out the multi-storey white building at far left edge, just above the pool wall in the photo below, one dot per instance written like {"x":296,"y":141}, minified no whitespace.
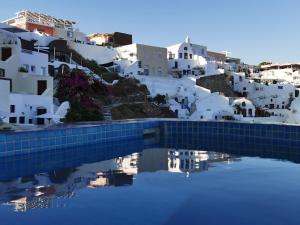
{"x":27,"y":96}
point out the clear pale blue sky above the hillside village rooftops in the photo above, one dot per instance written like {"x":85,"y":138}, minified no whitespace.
{"x":255,"y":30}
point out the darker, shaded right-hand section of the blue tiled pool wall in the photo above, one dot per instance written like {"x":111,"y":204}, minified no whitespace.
{"x":231,"y":136}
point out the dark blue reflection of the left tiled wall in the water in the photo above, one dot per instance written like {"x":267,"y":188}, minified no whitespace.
{"x":43,"y":162}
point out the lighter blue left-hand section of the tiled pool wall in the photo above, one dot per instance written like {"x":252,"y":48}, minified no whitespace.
{"x":15,"y":143}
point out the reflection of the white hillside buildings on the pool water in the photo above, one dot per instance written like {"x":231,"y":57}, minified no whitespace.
{"x":48,"y":190}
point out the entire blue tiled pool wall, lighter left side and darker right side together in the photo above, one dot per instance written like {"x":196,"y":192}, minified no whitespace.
{"x":217,"y":136}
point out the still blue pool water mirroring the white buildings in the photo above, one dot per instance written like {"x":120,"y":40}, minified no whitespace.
{"x":133,"y":183}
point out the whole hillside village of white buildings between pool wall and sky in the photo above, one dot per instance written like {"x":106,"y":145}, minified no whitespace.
{"x":51,"y":72}
